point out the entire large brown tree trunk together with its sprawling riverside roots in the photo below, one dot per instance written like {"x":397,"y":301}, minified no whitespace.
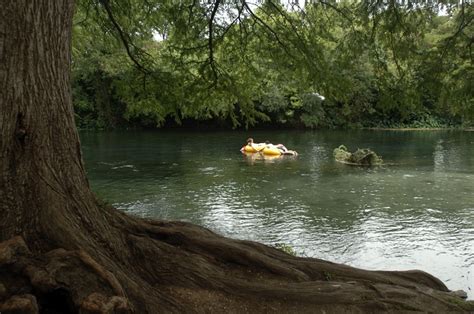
{"x":63,"y":244}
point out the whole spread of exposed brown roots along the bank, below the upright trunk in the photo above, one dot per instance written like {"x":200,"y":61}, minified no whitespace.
{"x":176,"y":267}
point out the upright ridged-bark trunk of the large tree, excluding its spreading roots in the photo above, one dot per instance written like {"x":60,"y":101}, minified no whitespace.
{"x":43,"y":184}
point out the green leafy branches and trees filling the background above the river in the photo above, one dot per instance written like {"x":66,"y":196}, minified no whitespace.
{"x":237,"y":64}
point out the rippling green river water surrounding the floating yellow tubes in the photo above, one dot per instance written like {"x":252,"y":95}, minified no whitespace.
{"x":416,"y":212}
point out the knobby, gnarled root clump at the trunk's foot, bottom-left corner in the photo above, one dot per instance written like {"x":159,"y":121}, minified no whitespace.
{"x":59,"y":281}
